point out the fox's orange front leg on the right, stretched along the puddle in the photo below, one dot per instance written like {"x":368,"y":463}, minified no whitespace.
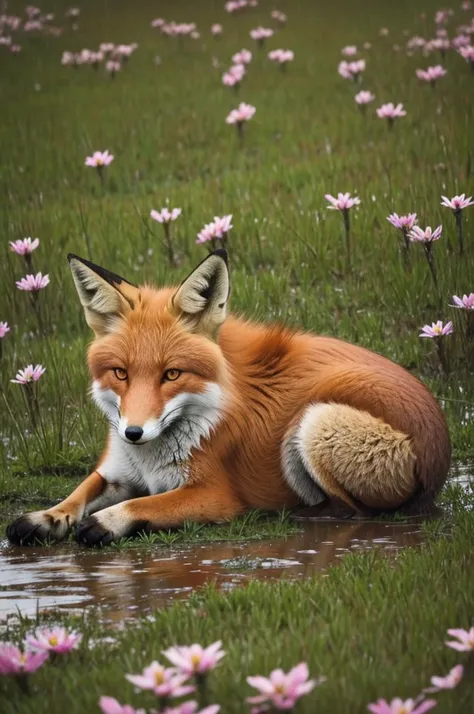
{"x":203,"y":504}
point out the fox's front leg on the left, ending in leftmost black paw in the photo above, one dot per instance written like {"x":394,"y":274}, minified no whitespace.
{"x":56,"y":522}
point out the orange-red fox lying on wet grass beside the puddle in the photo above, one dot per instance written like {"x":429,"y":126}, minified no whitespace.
{"x":211,"y":415}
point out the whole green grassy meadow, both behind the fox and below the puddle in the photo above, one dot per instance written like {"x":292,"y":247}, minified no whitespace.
{"x":162,"y":116}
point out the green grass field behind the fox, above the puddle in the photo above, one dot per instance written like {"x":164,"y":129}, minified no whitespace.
{"x":166,"y":127}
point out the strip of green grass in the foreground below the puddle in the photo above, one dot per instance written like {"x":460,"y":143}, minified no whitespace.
{"x":375,"y":627}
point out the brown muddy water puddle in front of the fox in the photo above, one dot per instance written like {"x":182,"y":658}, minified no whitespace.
{"x":130,"y":583}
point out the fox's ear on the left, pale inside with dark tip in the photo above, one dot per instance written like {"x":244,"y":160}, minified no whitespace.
{"x":105,"y":296}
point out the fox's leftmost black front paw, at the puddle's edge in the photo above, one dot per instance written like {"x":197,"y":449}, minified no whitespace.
{"x":39,"y":527}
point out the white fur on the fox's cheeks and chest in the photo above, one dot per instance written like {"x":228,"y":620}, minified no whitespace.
{"x":163,"y":463}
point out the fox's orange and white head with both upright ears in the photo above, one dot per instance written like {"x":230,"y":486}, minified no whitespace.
{"x":155,"y":359}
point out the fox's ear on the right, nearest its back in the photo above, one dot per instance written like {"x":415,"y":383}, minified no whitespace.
{"x":201,"y":299}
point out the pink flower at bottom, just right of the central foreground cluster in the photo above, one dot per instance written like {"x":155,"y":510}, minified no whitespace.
{"x":282,"y":690}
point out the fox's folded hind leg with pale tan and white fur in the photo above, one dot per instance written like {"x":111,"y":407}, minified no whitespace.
{"x":349,"y":456}
